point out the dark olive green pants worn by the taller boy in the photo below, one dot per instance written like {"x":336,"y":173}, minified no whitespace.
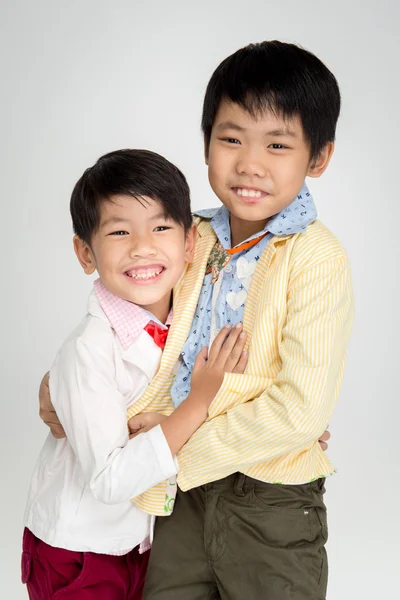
{"x":241,"y":539}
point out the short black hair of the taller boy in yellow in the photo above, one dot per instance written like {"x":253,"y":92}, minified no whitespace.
{"x":280,"y":77}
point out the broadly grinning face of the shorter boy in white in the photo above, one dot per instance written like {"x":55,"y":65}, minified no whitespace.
{"x":138,"y":252}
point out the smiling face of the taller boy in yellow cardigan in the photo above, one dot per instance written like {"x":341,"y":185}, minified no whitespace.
{"x":257,"y":166}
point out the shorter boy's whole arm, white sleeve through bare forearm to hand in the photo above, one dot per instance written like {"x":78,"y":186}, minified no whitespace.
{"x":93,"y":414}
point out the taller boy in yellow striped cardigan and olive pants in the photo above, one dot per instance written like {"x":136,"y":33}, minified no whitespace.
{"x":269,"y":120}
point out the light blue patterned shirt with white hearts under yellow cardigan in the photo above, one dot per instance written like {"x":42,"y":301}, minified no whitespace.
{"x":223,"y":302}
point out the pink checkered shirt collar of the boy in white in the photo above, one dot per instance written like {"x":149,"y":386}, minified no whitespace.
{"x":127,"y":319}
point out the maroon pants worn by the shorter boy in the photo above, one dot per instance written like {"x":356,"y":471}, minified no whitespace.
{"x":53,"y":573}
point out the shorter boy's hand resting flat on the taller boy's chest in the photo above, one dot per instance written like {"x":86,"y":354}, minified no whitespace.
{"x":226,"y":355}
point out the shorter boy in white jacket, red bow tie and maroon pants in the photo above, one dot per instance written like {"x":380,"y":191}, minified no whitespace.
{"x":132,"y":220}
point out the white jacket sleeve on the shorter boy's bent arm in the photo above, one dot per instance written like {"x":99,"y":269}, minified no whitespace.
{"x":93,"y":414}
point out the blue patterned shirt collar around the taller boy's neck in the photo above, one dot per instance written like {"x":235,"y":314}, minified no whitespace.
{"x":293,"y":219}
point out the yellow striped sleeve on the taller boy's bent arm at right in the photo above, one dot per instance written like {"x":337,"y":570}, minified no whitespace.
{"x":291,"y":412}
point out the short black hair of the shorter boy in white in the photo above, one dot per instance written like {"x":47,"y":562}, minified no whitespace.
{"x":135,"y":173}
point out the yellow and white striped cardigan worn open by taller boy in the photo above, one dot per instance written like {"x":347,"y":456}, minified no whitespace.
{"x":266,"y":422}
